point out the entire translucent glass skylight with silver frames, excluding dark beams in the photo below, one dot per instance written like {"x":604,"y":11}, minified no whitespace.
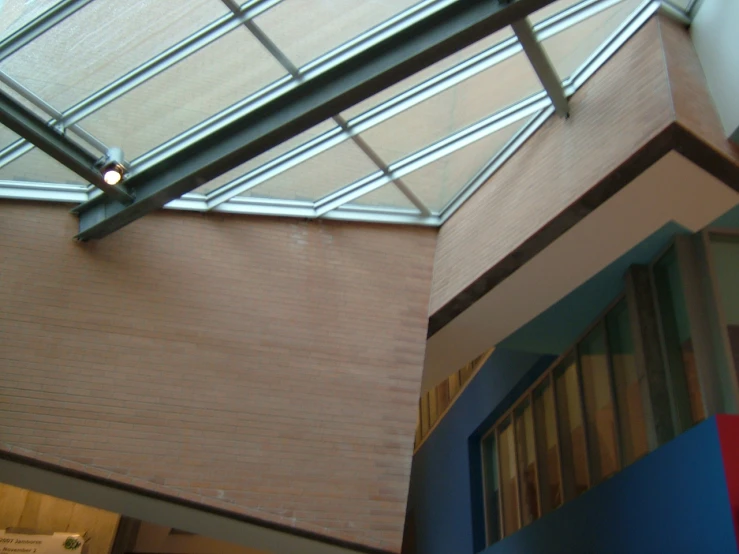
{"x":150,"y":76}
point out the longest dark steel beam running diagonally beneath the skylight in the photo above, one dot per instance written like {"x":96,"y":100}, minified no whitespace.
{"x":387,"y":62}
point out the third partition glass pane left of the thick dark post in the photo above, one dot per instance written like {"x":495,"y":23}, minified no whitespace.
{"x":571,"y":430}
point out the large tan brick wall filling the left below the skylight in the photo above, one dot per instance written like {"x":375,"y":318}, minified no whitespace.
{"x":268,"y":366}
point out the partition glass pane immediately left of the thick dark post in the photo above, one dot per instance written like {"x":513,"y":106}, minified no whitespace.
{"x":628,"y":387}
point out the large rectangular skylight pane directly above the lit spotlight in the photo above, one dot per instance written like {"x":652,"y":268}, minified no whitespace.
{"x":205,"y":83}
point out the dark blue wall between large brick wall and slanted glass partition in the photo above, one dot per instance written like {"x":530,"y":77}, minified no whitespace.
{"x":441,"y":492}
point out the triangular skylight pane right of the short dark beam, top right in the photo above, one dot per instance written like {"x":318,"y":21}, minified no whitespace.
{"x":570,"y":48}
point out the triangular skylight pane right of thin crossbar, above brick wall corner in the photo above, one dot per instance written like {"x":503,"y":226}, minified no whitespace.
{"x":437,"y":183}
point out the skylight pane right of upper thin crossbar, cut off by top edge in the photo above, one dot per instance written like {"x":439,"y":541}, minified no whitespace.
{"x":306,"y":29}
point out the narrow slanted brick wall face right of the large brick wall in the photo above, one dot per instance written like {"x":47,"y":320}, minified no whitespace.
{"x":616,"y":112}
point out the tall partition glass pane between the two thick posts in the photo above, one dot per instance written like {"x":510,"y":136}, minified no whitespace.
{"x":683,"y":374}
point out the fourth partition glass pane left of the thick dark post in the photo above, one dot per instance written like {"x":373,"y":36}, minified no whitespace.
{"x":547,"y":447}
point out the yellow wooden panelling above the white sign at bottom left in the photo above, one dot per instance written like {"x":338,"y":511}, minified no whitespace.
{"x":21,"y":508}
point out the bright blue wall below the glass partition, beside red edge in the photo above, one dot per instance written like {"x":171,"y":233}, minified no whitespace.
{"x":673,"y":500}
